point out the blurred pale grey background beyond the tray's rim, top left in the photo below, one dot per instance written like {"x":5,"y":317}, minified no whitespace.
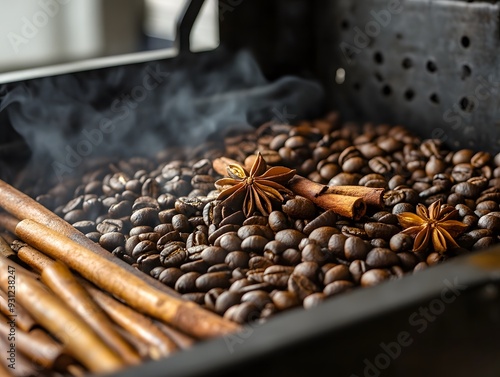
{"x":36,"y":33}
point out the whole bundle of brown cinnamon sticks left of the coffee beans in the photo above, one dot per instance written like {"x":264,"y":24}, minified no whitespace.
{"x":76,"y":307}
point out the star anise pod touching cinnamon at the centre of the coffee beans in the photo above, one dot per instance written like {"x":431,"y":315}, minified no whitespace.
{"x":254,"y":189}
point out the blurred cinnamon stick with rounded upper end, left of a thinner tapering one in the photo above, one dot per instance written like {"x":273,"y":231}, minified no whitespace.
{"x":60,"y":280}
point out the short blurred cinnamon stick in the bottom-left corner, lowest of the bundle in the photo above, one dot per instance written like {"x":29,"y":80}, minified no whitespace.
{"x":37,"y":345}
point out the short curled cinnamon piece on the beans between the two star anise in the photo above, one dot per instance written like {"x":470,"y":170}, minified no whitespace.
{"x":344,"y":205}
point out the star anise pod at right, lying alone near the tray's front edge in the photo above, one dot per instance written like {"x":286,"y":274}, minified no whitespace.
{"x":434,"y":225}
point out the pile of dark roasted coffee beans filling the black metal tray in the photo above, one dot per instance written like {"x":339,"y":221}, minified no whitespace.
{"x":161,"y":215}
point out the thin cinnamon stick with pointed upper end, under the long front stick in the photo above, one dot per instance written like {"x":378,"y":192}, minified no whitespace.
{"x":135,"y":323}
